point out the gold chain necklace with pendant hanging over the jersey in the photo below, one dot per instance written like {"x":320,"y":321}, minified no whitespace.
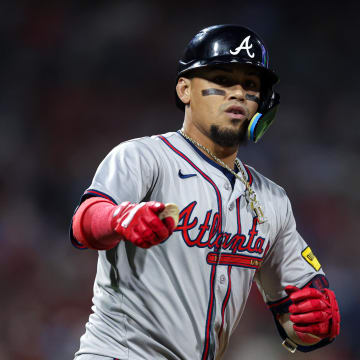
{"x":250,"y":194}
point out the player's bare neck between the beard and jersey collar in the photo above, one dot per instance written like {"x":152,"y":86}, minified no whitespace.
{"x":225,"y":154}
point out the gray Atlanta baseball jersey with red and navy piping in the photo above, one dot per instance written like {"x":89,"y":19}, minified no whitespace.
{"x":183,"y":298}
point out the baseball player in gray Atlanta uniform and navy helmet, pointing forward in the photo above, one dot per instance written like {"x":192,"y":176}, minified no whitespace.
{"x":183,"y":227}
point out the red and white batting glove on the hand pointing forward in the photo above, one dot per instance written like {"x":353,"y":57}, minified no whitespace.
{"x":140,"y":224}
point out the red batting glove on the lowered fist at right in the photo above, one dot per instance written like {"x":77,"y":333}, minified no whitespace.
{"x":314,"y":312}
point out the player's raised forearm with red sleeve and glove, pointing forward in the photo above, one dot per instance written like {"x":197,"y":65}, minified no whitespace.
{"x":99,"y":224}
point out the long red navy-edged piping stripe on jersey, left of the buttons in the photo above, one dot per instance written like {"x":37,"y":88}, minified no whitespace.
{"x":213,"y":268}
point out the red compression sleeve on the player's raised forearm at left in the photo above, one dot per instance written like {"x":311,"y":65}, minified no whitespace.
{"x":92,"y":224}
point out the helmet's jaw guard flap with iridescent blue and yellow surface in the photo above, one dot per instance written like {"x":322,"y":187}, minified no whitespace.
{"x":265,"y":116}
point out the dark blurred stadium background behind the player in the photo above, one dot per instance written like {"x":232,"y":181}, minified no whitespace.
{"x":79,"y":77}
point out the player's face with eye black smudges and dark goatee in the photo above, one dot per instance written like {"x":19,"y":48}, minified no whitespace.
{"x":223,"y":99}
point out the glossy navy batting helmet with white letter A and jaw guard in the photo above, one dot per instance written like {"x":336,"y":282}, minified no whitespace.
{"x":228,"y":44}
